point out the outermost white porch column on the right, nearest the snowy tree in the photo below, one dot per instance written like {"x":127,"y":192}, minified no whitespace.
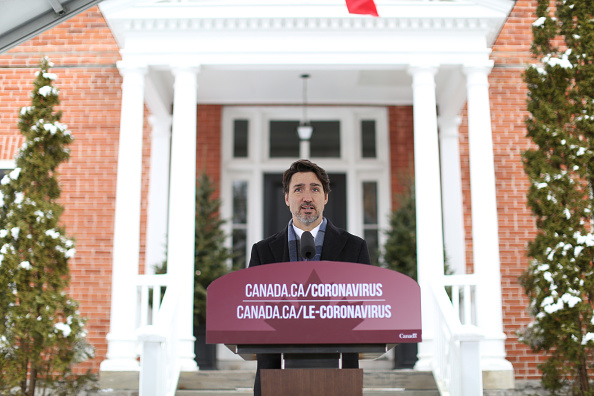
{"x":485,"y":232}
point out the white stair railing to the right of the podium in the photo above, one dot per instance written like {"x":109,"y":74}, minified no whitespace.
{"x":457,"y":363}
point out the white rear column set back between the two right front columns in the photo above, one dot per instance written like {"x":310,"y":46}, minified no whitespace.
{"x":451,"y":192}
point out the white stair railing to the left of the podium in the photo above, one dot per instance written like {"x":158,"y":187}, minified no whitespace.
{"x":159,"y":365}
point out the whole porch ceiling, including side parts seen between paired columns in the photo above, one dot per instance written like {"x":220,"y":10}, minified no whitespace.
{"x":328,"y":85}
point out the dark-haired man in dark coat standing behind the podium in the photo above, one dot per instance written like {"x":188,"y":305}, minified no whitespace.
{"x":308,"y":236}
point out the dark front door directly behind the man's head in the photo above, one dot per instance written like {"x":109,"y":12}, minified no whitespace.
{"x":277,"y":215}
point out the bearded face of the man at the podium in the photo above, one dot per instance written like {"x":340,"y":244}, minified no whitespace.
{"x":306,"y":200}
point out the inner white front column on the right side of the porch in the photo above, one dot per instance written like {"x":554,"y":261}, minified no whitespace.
{"x":428,"y":202}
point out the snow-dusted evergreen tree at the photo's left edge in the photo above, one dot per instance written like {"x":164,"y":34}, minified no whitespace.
{"x":41,"y":332}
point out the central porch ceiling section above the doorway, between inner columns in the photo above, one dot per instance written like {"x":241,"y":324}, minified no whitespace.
{"x":284,"y":86}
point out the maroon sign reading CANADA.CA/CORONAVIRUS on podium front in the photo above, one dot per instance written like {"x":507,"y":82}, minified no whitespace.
{"x":316,"y":302}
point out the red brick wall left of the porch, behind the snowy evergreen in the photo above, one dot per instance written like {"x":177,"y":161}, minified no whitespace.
{"x":84,"y":53}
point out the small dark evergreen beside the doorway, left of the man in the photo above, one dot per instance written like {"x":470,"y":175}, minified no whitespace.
{"x":211,"y":254}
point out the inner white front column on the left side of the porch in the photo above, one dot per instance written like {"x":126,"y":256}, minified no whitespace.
{"x":182,"y":206}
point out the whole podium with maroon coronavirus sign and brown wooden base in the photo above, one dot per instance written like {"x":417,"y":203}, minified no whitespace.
{"x":311,"y":314}
